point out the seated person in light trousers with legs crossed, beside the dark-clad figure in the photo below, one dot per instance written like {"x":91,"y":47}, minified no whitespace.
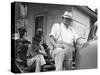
{"x":36,"y":52}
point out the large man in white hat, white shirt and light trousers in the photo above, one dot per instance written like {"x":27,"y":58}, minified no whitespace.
{"x":62,"y":37}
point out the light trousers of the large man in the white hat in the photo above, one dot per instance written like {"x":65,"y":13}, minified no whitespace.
{"x":60,"y":54}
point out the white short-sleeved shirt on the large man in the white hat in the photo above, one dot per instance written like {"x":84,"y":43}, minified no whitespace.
{"x":61,"y":33}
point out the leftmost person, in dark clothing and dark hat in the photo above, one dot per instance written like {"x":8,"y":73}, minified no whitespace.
{"x":21,"y":45}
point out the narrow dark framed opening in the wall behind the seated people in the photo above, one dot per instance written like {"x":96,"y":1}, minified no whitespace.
{"x":40,"y":20}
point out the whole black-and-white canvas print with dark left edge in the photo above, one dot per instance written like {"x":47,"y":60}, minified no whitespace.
{"x":49,"y":37}
